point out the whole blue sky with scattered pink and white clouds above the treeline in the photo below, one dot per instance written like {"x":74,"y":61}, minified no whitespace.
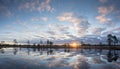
{"x":61,"y":21}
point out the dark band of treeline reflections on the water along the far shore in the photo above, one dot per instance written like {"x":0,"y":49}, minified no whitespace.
{"x":110,"y":54}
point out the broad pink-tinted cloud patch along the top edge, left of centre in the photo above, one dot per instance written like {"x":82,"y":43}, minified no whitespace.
{"x":37,"y":6}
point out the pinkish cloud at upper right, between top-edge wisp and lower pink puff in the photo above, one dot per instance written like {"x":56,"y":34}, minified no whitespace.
{"x":105,"y":10}
